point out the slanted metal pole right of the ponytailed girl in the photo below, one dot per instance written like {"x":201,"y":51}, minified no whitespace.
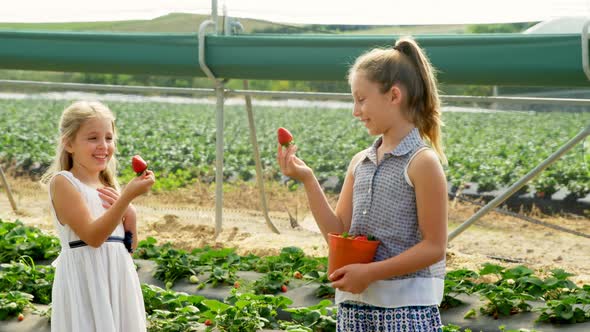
{"x":520,"y":183}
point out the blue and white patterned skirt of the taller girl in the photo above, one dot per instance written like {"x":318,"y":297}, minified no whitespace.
{"x":358,"y":317}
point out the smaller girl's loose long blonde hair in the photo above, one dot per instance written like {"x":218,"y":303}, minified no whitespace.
{"x":72,"y":118}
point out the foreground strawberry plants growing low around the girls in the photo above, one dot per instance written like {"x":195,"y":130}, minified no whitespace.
{"x":263,"y":300}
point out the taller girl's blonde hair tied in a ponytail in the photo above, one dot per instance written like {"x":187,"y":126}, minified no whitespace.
{"x":406,"y":64}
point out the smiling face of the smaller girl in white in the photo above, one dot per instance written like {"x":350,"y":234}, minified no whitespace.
{"x":93,"y":146}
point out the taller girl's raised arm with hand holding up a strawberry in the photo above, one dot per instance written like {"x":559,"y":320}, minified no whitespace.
{"x":328,"y":219}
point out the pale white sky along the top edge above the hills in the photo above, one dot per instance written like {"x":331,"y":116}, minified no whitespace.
{"x":371,"y":12}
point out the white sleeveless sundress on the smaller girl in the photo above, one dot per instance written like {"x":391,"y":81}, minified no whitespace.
{"x":95,"y":289}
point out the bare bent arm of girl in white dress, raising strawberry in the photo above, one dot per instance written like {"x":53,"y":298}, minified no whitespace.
{"x":71,"y":208}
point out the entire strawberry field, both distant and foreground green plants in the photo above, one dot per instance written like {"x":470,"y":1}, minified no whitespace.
{"x":217,"y":289}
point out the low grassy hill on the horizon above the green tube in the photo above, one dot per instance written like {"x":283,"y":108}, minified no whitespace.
{"x":180,"y":22}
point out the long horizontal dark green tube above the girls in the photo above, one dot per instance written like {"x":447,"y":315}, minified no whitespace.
{"x":492,"y":59}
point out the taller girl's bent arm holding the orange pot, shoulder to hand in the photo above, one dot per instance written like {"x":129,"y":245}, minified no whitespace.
{"x":430,"y":185}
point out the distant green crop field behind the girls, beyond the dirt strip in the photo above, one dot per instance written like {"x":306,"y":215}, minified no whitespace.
{"x":178,"y":140}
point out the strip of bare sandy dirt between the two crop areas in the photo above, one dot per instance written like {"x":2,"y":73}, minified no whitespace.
{"x":186,"y":217}
